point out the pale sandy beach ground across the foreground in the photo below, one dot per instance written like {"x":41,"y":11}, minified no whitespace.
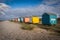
{"x":12,"y":31}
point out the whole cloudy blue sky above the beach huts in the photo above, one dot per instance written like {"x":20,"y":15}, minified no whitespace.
{"x":17,"y":8}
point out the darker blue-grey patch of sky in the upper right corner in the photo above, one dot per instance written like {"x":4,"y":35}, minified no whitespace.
{"x":54,"y":3}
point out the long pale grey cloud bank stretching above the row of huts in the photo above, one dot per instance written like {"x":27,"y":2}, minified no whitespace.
{"x":38,"y":10}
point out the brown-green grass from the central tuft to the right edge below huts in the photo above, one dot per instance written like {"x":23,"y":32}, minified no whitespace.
{"x":52,"y":29}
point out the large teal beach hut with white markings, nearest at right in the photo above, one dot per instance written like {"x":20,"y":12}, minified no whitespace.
{"x":49,"y":18}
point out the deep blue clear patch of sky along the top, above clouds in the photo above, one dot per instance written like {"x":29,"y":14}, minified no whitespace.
{"x":22,"y":3}
